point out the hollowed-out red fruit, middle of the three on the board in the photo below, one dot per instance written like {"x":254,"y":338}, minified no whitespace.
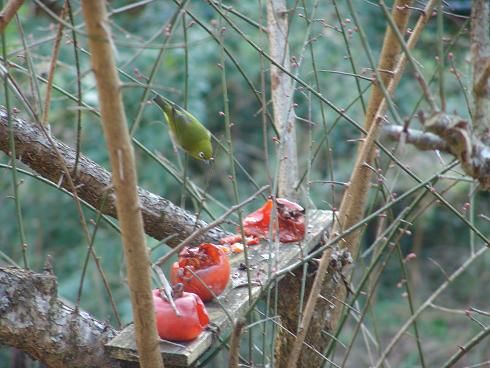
{"x":211,"y":266}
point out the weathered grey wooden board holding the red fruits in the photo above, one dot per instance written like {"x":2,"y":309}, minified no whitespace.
{"x":235,"y":298}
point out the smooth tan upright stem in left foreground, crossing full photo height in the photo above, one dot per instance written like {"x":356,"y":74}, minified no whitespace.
{"x":124,"y":179}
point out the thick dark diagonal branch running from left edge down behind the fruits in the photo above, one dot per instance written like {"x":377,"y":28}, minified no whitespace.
{"x":161,"y":217}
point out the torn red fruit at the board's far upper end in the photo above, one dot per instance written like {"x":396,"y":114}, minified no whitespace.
{"x":290,"y":220}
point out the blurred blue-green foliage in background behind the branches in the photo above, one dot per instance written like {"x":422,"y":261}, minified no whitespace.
{"x":51,"y":220}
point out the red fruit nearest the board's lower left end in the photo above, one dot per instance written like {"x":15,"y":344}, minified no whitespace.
{"x":192,"y":320}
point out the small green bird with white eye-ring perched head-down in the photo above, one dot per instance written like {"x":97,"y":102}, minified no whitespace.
{"x":186,"y":130}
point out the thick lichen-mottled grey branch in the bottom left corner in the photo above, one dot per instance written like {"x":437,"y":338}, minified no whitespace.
{"x":34,"y":320}
